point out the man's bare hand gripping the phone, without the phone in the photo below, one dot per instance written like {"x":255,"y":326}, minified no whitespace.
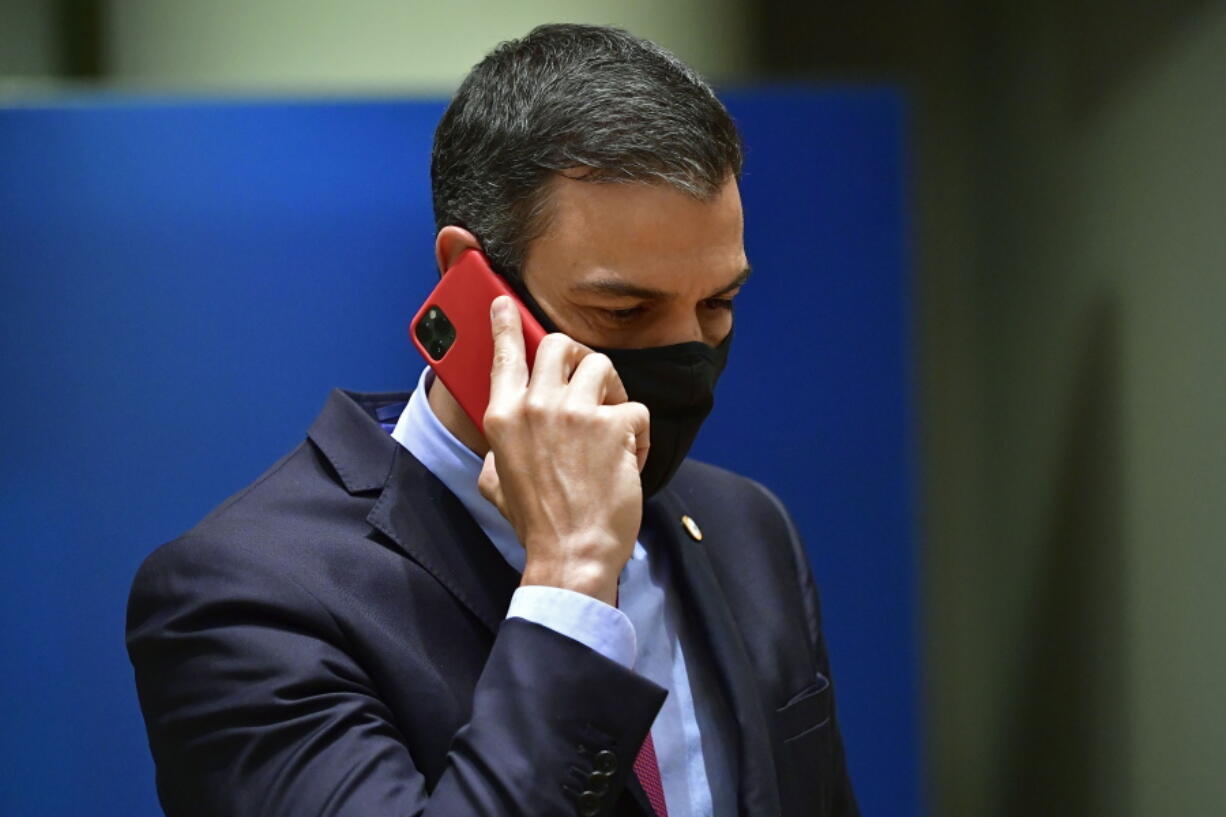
{"x":566,"y":453}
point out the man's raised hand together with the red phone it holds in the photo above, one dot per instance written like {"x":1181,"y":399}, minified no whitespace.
{"x":566,"y":446}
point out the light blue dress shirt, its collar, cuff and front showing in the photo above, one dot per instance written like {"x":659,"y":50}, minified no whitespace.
{"x":693,"y":733}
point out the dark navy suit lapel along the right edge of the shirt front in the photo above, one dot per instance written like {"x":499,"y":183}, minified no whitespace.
{"x":757,"y":788}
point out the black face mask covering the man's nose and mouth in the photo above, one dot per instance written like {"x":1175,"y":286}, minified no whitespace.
{"x":676,"y":383}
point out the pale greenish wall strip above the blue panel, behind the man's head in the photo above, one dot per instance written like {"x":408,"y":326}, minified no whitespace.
{"x":338,"y":46}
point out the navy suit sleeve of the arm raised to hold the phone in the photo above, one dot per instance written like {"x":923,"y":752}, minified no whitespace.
{"x":256,"y":705}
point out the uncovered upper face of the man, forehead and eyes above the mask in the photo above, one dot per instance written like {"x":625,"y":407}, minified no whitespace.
{"x":631,"y":266}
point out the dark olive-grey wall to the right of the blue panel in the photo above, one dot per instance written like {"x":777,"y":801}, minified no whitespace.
{"x":1071,"y":174}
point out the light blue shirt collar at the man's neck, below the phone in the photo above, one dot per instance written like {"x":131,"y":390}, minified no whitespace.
{"x":420,"y":431}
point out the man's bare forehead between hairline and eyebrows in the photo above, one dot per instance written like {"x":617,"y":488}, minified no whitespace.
{"x":648,"y":234}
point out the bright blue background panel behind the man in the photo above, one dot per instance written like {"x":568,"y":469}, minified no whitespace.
{"x":182,"y":284}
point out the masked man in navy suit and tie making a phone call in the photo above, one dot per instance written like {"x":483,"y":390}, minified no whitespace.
{"x":558,"y":615}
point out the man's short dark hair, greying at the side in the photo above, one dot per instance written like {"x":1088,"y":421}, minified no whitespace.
{"x":567,"y":98}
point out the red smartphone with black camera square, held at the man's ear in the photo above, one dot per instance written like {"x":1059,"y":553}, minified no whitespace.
{"x":452,"y":332}
